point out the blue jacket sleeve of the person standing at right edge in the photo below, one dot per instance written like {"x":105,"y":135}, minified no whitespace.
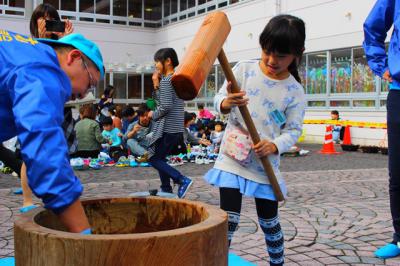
{"x":376,"y":27}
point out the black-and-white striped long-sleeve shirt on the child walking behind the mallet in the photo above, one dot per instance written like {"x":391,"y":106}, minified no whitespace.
{"x":169,"y":114}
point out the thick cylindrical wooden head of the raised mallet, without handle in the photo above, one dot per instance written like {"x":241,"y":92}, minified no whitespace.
{"x":200,"y":55}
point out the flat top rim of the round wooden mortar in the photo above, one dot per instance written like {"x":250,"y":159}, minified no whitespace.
{"x":215,"y":216}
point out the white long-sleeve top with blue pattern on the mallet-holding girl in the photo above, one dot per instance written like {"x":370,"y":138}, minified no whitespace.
{"x":265,"y":95}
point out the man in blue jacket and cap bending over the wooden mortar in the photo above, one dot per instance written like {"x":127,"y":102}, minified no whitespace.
{"x":36,"y":78}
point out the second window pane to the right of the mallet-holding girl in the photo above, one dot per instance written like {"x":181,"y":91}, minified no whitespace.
{"x":341,"y":71}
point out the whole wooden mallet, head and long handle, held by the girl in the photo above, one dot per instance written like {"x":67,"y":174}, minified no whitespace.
{"x":195,"y":66}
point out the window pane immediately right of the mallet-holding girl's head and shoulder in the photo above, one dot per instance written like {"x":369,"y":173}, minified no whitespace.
{"x":316,"y":73}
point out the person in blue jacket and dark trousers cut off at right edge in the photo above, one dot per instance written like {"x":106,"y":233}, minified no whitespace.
{"x":383,"y":16}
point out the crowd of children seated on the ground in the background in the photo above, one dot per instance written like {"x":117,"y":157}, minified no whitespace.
{"x":110,"y":135}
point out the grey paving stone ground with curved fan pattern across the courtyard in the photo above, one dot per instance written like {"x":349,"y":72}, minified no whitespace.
{"x":336,"y":213}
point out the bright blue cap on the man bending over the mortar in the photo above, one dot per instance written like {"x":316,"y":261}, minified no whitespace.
{"x":88,"y":48}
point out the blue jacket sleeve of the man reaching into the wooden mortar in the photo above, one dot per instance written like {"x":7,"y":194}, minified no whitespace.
{"x":38,"y":94}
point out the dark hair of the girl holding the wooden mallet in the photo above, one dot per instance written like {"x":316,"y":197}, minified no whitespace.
{"x":285,"y":34}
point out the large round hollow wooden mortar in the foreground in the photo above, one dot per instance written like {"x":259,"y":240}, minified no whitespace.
{"x":127,"y":231}
